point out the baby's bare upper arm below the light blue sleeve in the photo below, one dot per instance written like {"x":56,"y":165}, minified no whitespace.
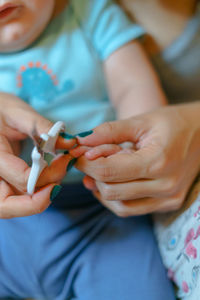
{"x":138,"y":90}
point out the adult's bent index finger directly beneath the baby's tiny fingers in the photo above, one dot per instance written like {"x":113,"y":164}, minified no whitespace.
{"x":121,"y":167}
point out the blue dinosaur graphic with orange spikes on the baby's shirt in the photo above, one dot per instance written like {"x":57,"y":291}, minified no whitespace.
{"x":37,"y":84}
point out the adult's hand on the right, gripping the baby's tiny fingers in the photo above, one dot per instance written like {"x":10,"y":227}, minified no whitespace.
{"x":156,"y":176}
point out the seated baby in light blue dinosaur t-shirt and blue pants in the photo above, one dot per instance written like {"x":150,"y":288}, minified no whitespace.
{"x":67,"y":60}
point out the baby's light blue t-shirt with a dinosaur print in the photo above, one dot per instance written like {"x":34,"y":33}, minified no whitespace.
{"x":61,"y":74}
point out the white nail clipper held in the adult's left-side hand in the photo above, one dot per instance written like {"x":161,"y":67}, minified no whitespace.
{"x":43,"y":144}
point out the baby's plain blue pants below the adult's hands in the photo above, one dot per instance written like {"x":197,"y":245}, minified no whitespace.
{"x":77,"y":249}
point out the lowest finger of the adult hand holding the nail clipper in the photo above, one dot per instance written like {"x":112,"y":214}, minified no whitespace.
{"x":12,"y":205}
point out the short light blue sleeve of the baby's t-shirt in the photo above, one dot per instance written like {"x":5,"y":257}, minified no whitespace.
{"x":106,"y":25}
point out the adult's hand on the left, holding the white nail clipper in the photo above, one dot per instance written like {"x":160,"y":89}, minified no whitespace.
{"x":17,"y":120}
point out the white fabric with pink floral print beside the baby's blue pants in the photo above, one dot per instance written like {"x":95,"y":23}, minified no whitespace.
{"x":178,"y":236}
